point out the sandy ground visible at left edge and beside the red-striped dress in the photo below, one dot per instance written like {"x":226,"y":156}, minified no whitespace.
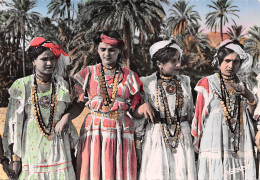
{"x":77,"y":123}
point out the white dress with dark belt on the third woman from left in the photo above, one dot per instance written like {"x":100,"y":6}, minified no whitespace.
{"x":158,"y":160}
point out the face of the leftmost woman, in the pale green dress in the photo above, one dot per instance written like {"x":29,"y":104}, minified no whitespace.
{"x":45,"y":63}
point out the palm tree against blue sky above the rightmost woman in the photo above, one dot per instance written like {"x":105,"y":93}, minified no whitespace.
{"x":222,"y":8}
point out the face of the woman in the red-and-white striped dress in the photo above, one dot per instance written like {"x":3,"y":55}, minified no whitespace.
{"x":108,"y":54}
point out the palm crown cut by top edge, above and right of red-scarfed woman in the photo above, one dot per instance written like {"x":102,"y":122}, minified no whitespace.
{"x":59,"y":8}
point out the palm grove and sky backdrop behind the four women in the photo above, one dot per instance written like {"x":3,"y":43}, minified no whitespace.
{"x":72,"y":23}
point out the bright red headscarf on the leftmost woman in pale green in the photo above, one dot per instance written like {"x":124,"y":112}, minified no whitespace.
{"x":40,"y":41}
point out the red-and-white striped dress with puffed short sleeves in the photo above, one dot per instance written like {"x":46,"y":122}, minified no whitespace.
{"x":106,"y":149}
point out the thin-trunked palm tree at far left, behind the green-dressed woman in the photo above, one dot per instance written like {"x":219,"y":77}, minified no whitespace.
{"x":20,"y":19}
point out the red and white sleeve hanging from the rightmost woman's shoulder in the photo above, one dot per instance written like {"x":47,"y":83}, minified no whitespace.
{"x":200,"y":111}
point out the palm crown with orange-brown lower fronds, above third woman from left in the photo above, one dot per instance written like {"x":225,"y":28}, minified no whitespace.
{"x":182,"y":17}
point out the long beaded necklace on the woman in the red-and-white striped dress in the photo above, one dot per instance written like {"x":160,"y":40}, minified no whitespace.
{"x":104,"y":93}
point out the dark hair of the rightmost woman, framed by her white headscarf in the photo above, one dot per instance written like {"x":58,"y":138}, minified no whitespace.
{"x":224,"y":51}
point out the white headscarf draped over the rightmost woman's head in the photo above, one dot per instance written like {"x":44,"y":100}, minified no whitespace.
{"x":245,"y":68}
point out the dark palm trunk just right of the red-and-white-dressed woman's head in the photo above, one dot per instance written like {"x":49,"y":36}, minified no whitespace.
{"x":127,"y":48}
